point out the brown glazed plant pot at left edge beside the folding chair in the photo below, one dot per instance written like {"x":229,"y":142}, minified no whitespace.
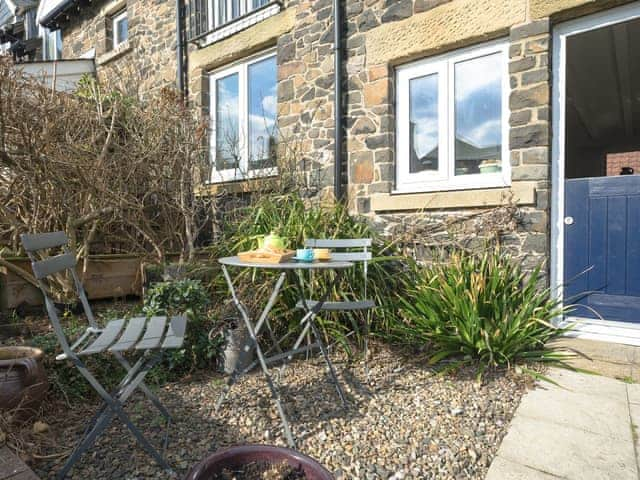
{"x":23,"y":382}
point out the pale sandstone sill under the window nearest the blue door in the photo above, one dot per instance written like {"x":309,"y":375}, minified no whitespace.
{"x":520,"y":193}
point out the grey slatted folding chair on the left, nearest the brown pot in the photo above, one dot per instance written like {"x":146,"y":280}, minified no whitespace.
{"x":147,"y":336}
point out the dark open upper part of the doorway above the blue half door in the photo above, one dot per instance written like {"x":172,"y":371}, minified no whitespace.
{"x":603,"y":102}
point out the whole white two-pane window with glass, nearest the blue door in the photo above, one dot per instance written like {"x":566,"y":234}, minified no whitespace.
{"x":452,"y":121}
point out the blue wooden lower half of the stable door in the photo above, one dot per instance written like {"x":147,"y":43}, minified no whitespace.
{"x":602,"y":247}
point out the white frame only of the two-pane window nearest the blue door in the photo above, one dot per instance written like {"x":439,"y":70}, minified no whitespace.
{"x":444,"y":178}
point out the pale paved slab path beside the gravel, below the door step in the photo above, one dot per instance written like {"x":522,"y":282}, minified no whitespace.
{"x":585,"y":428}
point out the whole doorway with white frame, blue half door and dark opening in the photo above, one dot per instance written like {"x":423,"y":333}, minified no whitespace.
{"x":597,"y":169}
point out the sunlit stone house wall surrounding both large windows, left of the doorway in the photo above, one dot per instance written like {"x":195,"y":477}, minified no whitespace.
{"x":379,"y":36}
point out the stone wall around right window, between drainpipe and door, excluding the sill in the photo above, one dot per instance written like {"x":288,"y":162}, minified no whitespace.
{"x":370,"y":118}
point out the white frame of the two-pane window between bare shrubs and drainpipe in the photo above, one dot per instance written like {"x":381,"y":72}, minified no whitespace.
{"x":240,"y":68}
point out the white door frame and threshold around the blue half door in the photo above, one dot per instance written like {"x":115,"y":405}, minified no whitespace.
{"x":594,"y":329}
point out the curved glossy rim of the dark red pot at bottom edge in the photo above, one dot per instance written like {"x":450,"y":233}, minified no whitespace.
{"x":235,"y":457}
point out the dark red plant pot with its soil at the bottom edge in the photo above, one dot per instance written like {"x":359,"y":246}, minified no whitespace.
{"x":245,"y":460}
